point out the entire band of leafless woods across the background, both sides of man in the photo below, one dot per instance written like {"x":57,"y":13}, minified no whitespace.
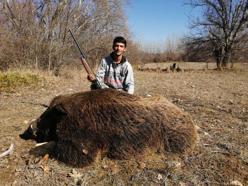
{"x":34,"y":33}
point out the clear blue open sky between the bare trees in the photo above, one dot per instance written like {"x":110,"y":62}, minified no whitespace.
{"x":154,"y":21}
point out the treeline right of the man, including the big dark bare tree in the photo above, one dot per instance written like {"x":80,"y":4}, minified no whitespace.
{"x":220,"y":33}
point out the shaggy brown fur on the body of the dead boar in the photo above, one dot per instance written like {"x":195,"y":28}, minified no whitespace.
{"x":115,"y":123}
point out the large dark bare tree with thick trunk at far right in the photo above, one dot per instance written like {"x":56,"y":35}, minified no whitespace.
{"x":222,"y":27}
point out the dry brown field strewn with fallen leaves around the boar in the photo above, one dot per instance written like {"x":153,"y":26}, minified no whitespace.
{"x":217,"y":101}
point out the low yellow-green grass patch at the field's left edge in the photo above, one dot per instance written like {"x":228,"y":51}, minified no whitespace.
{"x":9,"y":81}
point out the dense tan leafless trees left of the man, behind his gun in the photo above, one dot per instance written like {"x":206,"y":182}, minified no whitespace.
{"x":35,"y":33}
